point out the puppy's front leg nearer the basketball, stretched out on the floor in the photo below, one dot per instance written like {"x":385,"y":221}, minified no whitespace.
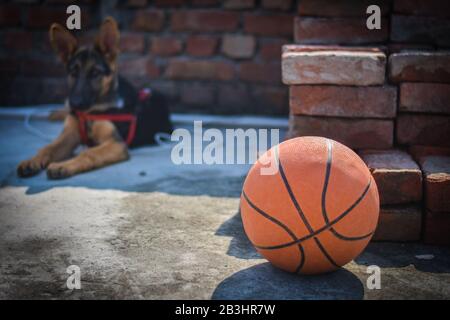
{"x":110,"y":149}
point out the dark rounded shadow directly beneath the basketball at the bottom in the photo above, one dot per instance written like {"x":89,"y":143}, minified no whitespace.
{"x":265,"y":282}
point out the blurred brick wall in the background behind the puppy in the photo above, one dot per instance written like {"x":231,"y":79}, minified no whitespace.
{"x":206,"y":55}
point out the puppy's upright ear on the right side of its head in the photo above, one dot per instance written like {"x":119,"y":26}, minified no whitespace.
{"x":107,"y":41}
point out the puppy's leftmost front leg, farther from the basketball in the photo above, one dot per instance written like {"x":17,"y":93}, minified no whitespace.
{"x":58,"y":150}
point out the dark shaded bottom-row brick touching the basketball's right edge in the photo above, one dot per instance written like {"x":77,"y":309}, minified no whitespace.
{"x":399,"y":223}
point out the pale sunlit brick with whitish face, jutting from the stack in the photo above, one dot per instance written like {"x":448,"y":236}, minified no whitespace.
{"x":341,"y":66}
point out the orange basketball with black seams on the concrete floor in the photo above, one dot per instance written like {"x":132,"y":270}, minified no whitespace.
{"x":316,"y":212}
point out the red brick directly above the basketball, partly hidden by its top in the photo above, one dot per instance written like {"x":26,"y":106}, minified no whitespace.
{"x":355,"y":133}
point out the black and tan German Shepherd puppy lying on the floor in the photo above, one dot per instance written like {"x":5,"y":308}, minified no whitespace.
{"x":96,"y":88}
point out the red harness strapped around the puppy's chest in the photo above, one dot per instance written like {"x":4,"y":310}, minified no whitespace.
{"x":83,"y":117}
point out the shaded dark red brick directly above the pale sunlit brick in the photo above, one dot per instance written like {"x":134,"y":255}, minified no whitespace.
{"x":309,"y":30}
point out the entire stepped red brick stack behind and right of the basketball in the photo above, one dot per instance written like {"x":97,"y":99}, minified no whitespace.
{"x":384,"y":93}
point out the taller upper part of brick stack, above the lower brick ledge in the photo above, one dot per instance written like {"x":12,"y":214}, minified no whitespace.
{"x":371,"y":88}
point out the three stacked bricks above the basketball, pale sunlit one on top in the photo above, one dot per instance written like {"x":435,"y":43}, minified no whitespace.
{"x":340,"y":92}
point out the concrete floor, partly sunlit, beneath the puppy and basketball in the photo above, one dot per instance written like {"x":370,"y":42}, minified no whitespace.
{"x":147,"y":229}
